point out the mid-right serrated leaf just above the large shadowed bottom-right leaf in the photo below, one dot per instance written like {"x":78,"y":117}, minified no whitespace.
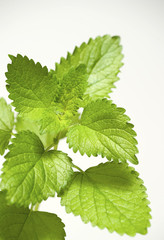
{"x":104,"y":130}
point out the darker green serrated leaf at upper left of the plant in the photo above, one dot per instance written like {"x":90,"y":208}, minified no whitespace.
{"x":29,"y":85}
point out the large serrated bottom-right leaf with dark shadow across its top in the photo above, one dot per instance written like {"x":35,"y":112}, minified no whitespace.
{"x":109,"y":196}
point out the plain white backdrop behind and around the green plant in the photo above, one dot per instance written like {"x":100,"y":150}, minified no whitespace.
{"x":46,"y":30}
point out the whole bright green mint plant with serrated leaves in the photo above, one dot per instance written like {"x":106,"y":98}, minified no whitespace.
{"x":110,"y":195}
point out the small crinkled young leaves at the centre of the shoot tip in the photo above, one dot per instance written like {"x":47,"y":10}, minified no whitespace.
{"x":64,"y":110}
